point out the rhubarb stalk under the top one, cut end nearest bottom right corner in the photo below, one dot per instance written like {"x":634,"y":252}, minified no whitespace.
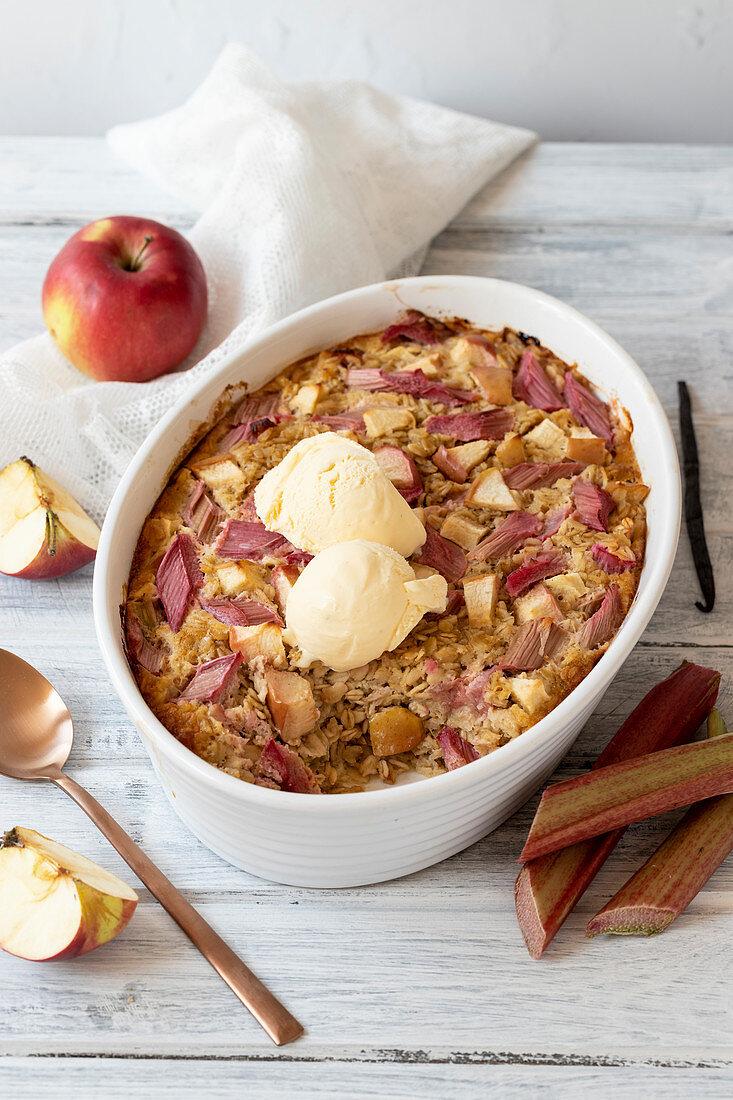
{"x":666,"y":885}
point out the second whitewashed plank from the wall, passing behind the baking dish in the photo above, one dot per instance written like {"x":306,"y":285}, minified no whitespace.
{"x":615,"y":274}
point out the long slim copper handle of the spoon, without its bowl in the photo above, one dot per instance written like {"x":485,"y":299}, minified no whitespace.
{"x":265,"y":1007}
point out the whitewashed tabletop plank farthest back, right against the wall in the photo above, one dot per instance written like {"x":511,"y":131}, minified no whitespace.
{"x":51,"y":179}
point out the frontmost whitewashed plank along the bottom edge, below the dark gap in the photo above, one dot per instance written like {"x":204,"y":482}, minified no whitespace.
{"x":80,"y":1079}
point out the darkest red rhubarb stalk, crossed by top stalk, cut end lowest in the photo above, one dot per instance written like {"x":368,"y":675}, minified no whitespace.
{"x":549,"y":889}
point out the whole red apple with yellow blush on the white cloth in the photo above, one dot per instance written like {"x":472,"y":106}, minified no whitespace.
{"x":126,"y":300}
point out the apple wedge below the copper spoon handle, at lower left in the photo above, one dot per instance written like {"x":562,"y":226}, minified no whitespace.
{"x":54,"y":904}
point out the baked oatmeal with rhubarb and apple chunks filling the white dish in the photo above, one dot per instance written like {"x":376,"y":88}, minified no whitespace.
{"x":533,"y":507}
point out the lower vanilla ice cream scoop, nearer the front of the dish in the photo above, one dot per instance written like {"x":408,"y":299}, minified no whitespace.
{"x":357,"y":600}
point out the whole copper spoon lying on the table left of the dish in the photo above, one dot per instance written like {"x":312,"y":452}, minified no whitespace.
{"x":37,"y":734}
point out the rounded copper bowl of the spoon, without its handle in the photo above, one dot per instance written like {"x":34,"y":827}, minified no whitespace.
{"x":37,"y":732}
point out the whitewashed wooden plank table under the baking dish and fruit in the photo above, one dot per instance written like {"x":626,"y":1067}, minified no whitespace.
{"x":421,"y":986}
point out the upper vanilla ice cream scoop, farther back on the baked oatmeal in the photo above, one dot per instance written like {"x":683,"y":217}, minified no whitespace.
{"x":330,"y":490}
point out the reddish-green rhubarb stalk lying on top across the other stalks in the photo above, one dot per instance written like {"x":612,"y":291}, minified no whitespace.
{"x":611,"y":798}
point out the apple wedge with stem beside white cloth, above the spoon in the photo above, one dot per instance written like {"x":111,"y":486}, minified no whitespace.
{"x":43,"y":532}
